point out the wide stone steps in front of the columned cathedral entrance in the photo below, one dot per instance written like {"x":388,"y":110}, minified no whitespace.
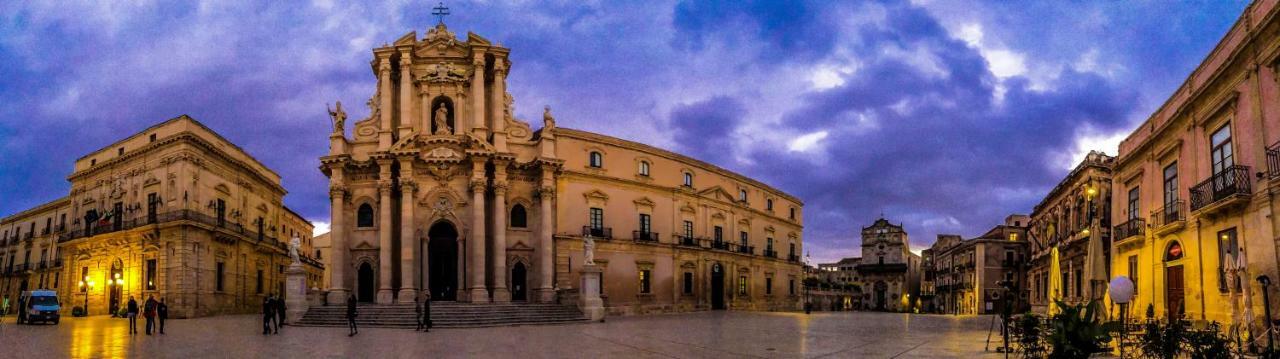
{"x":446,"y":315}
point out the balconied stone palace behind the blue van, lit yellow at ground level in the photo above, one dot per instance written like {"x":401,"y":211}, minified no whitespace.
{"x":173,"y":212}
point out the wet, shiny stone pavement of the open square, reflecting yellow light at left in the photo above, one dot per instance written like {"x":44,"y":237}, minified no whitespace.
{"x":697,"y":335}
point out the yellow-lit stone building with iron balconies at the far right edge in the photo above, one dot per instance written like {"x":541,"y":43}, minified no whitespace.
{"x":1195,"y":184}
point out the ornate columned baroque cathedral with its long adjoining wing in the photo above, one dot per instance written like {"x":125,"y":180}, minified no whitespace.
{"x":442,"y":190}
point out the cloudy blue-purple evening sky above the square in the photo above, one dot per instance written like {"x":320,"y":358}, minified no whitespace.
{"x":945,"y":116}
